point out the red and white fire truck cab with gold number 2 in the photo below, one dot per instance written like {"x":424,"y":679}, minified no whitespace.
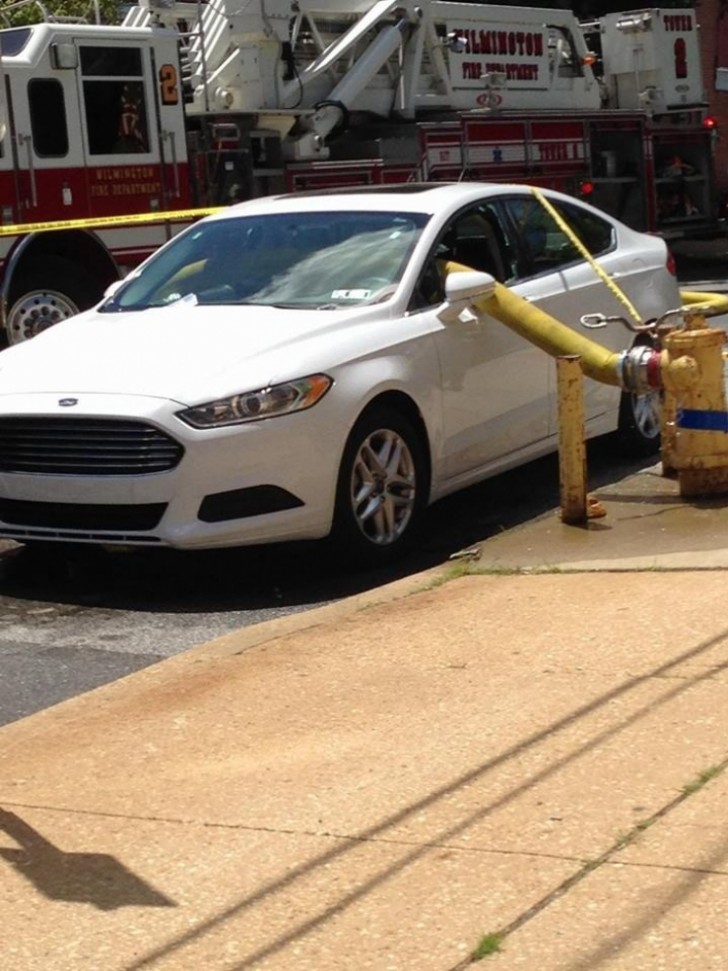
{"x":85,"y":135}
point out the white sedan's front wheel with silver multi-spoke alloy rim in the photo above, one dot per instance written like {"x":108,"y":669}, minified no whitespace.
{"x":381,"y":491}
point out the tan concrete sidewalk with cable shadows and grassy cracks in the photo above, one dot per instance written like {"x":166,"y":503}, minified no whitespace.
{"x":527,"y":761}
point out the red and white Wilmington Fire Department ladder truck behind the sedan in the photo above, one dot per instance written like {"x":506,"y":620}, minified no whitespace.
{"x":112,"y":136}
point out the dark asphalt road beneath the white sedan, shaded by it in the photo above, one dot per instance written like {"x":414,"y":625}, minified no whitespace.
{"x":69,"y":624}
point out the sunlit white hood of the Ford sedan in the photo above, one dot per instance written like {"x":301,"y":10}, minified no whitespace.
{"x":184,"y":353}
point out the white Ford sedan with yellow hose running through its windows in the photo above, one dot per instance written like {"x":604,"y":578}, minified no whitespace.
{"x":293,"y":367}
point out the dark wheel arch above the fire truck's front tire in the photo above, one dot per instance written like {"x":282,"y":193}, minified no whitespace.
{"x":78,"y":246}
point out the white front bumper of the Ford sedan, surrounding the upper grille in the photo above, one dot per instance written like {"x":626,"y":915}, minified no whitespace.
{"x":266,"y":481}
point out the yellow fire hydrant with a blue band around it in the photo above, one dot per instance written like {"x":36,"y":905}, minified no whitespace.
{"x":693,"y":372}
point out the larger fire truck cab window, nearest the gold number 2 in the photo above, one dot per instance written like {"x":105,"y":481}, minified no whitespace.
{"x":113,"y":92}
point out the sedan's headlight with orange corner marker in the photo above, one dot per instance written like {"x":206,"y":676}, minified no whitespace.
{"x":282,"y":399}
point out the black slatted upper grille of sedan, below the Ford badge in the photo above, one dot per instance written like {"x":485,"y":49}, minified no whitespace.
{"x":85,"y":446}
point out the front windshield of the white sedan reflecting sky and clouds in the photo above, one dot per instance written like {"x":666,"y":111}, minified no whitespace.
{"x":300,"y":260}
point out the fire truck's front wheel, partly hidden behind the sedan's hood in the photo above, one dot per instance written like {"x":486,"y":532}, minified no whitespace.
{"x":45,"y":298}
